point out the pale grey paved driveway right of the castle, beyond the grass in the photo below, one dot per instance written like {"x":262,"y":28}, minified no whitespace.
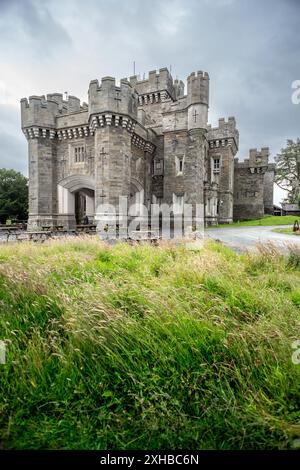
{"x":246,"y":238}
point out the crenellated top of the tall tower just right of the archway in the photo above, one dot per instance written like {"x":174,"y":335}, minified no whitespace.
{"x":107,"y":96}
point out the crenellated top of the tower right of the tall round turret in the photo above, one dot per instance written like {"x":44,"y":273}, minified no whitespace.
{"x":225,"y":135}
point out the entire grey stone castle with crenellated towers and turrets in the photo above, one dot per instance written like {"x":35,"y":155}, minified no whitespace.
{"x":147,"y":140}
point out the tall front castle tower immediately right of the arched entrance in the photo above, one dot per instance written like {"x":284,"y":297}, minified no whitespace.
{"x":113,"y":116}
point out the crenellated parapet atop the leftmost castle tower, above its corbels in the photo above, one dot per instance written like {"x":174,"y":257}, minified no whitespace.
{"x":42,"y":111}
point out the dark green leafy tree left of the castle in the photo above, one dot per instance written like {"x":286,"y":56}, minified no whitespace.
{"x":13,"y":195}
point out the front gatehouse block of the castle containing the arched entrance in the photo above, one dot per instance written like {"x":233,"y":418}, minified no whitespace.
{"x":84,"y":156}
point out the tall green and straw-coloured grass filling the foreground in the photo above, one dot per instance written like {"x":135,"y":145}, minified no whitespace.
{"x":146,"y":347}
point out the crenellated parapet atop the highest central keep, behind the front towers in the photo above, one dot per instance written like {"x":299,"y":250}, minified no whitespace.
{"x":156,"y":82}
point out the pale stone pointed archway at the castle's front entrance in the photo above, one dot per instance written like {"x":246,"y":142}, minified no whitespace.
{"x":76,"y":197}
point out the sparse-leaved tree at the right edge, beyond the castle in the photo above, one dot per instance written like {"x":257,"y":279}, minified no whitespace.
{"x":287,"y":175}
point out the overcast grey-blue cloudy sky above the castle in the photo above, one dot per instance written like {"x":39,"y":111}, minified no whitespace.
{"x":250,"y":49}
